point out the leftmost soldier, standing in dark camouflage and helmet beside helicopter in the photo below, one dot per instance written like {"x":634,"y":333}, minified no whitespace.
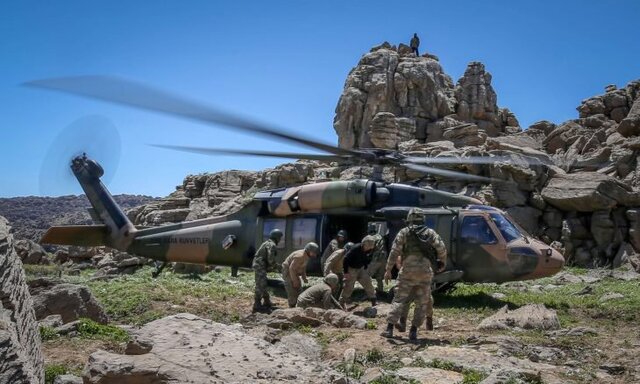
{"x":263,"y":262}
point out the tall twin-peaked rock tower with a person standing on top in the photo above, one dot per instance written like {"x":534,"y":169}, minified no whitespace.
{"x":393,"y":96}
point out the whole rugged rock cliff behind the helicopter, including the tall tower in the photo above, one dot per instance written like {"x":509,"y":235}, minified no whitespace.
{"x":574,"y":185}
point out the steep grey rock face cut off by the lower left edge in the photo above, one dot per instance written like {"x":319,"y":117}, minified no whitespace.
{"x":21,"y":359}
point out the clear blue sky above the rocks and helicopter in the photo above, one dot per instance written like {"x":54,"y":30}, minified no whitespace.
{"x":281,"y":62}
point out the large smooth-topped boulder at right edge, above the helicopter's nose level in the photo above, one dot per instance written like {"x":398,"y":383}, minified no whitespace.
{"x":588,"y":192}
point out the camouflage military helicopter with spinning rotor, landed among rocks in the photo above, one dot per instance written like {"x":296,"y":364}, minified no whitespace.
{"x":484,"y":244}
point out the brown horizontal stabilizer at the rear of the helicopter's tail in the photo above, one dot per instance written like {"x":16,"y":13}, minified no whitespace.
{"x":84,"y":235}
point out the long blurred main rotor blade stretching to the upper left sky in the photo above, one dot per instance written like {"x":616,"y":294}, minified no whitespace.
{"x":135,"y":94}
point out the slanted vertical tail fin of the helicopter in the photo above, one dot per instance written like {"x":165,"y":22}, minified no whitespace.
{"x":120,"y":229}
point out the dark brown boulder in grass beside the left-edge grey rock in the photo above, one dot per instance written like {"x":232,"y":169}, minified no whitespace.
{"x":70,"y":301}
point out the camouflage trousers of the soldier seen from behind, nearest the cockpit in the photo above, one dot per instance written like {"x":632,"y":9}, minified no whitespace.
{"x":408,"y":291}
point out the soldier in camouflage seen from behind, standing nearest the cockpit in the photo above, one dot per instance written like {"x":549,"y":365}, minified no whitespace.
{"x":418,"y":245}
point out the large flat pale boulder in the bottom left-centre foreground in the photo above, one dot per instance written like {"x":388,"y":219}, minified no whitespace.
{"x":187,"y":346}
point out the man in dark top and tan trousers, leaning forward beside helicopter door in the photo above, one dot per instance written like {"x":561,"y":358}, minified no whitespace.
{"x":355,"y":265}
